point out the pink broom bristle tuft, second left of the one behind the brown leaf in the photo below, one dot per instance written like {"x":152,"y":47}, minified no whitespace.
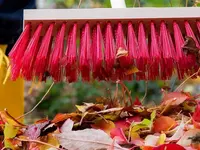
{"x":167,"y":52}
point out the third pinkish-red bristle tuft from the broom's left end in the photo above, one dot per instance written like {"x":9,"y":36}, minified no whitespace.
{"x":40,"y":66}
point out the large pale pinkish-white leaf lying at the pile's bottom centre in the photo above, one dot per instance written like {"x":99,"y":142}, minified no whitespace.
{"x":87,"y":139}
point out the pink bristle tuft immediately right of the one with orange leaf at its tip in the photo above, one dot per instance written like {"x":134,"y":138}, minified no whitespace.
{"x":143,"y":53}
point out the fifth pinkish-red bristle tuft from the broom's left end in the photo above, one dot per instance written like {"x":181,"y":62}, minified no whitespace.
{"x":70,"y":58}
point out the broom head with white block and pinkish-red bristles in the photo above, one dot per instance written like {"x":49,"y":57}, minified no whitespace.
{"x":106,"y":44}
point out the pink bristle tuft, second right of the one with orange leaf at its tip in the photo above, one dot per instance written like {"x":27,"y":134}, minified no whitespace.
{"x":155,"y":55}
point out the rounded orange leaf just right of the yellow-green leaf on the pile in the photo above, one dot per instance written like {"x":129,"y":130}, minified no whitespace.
{"x":164,"y":123}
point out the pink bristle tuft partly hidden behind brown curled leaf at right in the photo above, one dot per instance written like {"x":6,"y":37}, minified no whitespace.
{"x":191,"y":58}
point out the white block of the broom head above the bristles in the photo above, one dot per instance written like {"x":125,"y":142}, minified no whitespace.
{"x":114,"y":13}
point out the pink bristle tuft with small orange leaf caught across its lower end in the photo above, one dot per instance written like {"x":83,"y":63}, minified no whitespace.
{"x":132,"y":45}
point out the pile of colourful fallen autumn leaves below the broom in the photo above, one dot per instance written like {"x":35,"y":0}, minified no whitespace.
{"x":110,"y":125}
